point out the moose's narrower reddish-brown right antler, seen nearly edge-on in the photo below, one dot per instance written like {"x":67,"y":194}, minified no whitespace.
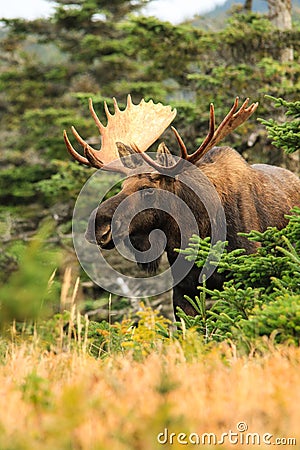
{"x":233,"y":120}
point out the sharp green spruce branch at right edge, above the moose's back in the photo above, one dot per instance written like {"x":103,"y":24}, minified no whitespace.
{"x":285,"y":135}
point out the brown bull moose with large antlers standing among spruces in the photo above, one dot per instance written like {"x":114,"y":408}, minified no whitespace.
{"x":253,"y":197}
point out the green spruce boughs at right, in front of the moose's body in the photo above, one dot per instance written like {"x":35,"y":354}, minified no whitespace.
{"x":261,"y":296}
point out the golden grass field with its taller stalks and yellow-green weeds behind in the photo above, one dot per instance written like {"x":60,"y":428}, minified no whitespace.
{"x":150,"y":392}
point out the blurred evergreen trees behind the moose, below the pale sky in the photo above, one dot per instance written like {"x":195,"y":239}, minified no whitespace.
{"x":49,"y":67}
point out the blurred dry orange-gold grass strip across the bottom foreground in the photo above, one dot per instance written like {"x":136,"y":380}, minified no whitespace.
{"x":70,"y":400}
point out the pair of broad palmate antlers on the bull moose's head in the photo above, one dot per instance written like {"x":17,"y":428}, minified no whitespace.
{"x":139,"y":126}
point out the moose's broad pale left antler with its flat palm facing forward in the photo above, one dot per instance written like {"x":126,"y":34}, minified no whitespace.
{"x":140,"y":125}
